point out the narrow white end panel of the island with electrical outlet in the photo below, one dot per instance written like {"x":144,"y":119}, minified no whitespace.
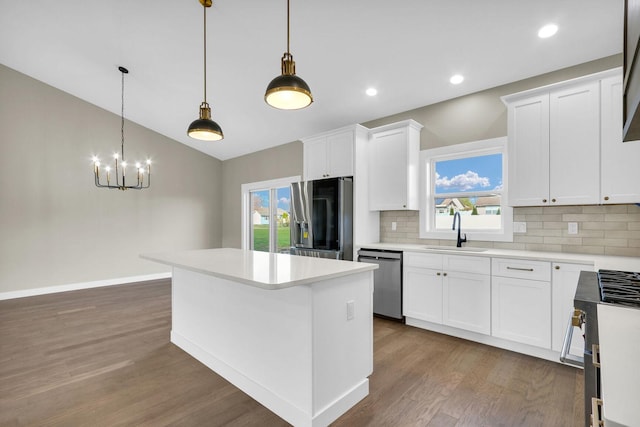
{"x":342,"y":344}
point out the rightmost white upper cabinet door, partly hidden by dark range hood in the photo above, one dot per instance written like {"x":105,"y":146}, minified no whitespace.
{"x":620,"y":173}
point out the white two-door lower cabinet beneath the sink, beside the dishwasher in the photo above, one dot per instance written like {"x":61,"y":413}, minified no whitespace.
{"x":452,"y":290}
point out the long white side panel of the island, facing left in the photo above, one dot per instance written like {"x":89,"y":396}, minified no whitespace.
{"x":260,"y":340}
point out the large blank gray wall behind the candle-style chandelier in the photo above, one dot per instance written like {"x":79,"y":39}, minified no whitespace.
{"x":56,"y":227}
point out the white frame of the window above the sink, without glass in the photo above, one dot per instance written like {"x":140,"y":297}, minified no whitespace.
{"x":428,"y":196}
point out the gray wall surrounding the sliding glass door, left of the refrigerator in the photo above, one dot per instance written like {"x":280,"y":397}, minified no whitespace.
{"x":278,"y":162}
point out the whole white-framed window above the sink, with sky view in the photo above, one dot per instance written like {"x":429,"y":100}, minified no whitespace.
{"x":469,"y":179}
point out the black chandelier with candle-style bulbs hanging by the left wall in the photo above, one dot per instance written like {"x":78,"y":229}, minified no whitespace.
{"x":120,"y":173}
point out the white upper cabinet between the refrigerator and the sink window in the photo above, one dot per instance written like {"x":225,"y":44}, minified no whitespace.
{"x":394,"y":152}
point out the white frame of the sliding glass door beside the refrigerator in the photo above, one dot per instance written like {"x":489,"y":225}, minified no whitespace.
{"x":246,"y":189}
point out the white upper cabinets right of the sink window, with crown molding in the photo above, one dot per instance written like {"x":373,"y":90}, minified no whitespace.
{"x":565,"y":144}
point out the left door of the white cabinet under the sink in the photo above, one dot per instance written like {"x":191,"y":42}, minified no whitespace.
{"x":422,"y":294}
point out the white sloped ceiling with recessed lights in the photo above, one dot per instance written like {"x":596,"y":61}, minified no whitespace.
{"x":408,"y":49}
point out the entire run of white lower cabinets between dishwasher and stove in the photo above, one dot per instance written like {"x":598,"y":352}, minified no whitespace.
{"x":522,"y":305}
